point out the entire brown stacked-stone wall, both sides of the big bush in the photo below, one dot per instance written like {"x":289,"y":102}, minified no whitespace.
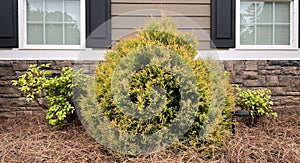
{"x":282,"y":77}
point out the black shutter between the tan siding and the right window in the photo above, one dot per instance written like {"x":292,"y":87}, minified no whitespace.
{"x":223,"y":23}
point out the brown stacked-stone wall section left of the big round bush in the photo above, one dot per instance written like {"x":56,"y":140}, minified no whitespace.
{"x":12,"y":103}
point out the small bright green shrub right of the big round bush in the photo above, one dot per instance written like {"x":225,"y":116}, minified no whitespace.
{"x":257,"y":102}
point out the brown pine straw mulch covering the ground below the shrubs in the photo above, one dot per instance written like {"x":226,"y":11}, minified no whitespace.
{"x":31,"y":139}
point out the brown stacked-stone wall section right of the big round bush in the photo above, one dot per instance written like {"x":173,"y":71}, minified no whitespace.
{"x":281,"y":77}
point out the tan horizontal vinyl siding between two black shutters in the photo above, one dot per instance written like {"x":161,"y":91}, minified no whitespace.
{"x":128,"y":19}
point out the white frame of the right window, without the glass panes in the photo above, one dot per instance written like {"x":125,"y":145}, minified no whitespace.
{"x":293,"y":29}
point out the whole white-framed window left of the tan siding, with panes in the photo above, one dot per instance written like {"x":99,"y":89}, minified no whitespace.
{"x":53,"y":24}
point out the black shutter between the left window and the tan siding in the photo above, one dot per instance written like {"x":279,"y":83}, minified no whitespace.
{"x":98,"y":26}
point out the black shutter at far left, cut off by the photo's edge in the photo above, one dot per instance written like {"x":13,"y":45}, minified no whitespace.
{"x":8,"y":23}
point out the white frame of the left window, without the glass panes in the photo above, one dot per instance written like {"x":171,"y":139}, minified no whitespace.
{"x":23,"y":30}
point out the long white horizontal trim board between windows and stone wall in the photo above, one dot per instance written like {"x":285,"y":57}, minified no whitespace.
{"x":89,"y":54}
